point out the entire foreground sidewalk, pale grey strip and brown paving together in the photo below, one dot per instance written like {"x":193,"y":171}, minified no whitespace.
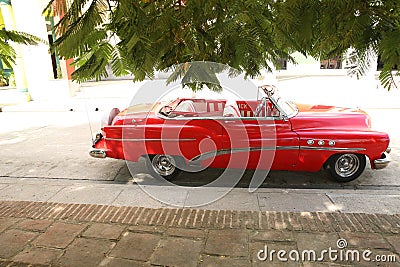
{"x":83,"y":223}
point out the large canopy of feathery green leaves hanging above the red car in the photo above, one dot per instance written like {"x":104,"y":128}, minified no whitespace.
{"x":140,"y":37}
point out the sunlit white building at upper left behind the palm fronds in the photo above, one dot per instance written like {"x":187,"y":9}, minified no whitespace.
{"x":39,"y":74}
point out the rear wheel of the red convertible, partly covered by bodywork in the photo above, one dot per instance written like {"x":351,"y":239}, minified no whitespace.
{"x":162,"y":165}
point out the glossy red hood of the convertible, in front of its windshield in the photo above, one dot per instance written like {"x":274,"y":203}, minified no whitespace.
{"x":320,"y":117}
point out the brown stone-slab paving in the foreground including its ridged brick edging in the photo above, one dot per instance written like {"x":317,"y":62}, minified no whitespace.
{"x":45,"y":233}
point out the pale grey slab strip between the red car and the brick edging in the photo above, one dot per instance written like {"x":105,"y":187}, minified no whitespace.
{"x":151,"y":194}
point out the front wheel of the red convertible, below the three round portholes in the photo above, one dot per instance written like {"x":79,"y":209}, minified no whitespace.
{"x":346,"y":167}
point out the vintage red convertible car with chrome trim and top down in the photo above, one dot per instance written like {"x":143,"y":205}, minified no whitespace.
{"x":266,"y":133}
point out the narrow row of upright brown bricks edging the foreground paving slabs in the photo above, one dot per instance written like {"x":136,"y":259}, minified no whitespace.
{"x":210,"y":219}
